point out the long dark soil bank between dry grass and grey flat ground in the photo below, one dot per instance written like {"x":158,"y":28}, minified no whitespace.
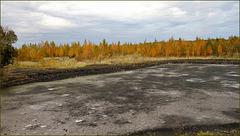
{"x":59,"y":74}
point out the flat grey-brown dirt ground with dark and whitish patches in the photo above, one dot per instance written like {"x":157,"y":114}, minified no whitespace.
{"x":164,"y":96}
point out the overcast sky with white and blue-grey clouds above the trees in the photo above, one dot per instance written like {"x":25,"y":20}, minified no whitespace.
{"x":124,"y":21}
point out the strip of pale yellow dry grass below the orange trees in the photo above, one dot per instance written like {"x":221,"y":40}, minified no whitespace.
{"x":65,"y":62}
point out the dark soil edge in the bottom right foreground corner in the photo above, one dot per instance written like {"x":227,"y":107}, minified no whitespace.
{"x":191,"y":130}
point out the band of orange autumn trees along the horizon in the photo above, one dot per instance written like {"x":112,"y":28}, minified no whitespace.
{"x":88,"y":51}
